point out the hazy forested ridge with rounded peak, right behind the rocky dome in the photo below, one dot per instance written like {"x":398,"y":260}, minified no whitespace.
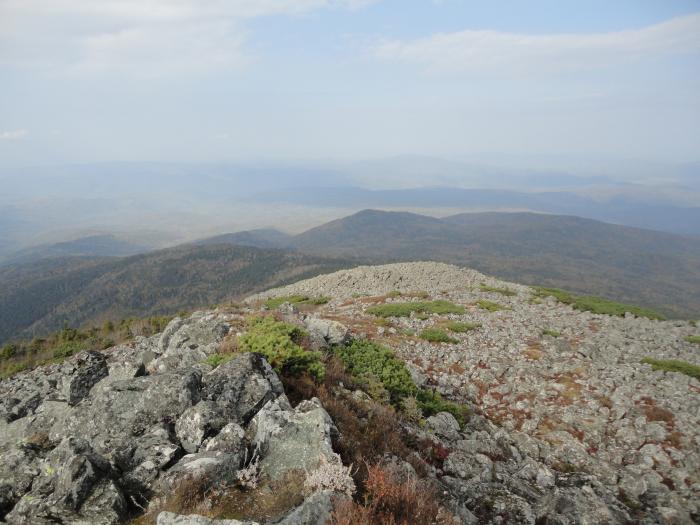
{"x":649,"y":268}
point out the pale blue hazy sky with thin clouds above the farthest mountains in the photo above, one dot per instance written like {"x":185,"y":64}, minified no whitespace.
{"x":216,"y":80}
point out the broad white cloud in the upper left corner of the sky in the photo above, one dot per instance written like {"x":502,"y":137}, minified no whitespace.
{"x":143,"y":37}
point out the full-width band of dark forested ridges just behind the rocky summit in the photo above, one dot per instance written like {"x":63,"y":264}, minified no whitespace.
{"x":648,"y":268}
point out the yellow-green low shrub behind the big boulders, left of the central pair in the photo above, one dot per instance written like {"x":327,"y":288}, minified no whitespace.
{"x":280,"y":344}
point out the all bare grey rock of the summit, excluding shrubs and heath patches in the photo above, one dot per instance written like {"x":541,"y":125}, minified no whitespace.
{"x":567,"y":425}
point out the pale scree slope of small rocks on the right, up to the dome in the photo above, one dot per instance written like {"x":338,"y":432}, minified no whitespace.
{"x":578,"y":401}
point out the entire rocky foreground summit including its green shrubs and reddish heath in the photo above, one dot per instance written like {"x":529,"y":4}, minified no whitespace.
{"x":494,"y":403}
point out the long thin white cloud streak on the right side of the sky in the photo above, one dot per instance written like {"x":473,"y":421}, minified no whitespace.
{"x":479,"y":51}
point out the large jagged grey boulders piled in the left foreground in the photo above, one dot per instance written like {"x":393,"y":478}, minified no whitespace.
{"x":106,"y":436}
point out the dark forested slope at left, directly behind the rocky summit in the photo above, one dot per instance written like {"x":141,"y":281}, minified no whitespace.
{"x":38,"y":298}
